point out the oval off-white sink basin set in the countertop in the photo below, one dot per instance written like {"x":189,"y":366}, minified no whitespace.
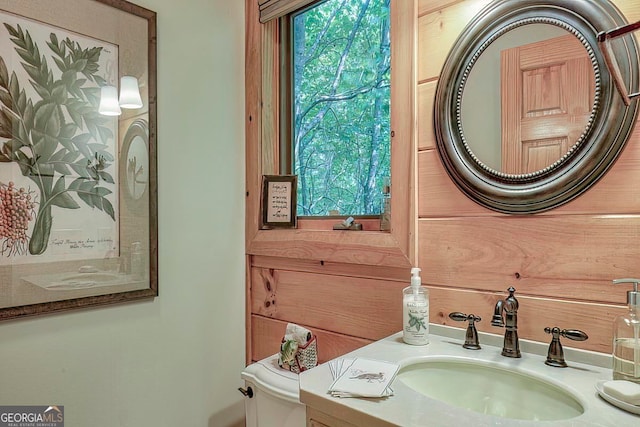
{"x":488,"y":388}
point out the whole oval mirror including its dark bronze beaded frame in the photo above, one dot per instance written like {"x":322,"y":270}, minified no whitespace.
{"x":526,"y":114}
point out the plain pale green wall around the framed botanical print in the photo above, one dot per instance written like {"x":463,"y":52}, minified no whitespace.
{"x":175,"y":361}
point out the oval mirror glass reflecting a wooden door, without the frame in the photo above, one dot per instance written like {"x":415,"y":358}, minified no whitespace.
{"x":542,"y":111}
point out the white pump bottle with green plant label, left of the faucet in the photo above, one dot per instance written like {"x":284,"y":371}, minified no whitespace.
{"x":415,"y":311}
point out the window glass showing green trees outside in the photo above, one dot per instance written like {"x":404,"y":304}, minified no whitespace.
{"x":336,"y":129}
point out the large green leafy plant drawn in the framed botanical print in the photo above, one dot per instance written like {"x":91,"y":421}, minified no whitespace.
{"x":59,"y":136}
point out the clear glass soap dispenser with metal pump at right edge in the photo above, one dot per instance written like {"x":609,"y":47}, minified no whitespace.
{"x":626,"y":337}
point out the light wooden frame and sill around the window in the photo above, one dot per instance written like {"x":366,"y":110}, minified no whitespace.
{"x":262,"y":66}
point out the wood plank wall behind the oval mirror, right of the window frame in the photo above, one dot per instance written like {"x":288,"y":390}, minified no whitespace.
{"x":561,"y":262}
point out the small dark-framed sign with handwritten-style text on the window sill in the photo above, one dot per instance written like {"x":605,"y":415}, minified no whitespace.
{"x":279,"y":201}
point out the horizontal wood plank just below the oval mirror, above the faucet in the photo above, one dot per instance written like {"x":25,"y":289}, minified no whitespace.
{"x":570,"y":257}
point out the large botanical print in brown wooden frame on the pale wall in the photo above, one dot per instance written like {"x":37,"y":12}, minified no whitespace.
{"x":84,"y":184}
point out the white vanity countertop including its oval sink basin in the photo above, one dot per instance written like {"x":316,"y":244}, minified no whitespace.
{"x":443,"y":384}
